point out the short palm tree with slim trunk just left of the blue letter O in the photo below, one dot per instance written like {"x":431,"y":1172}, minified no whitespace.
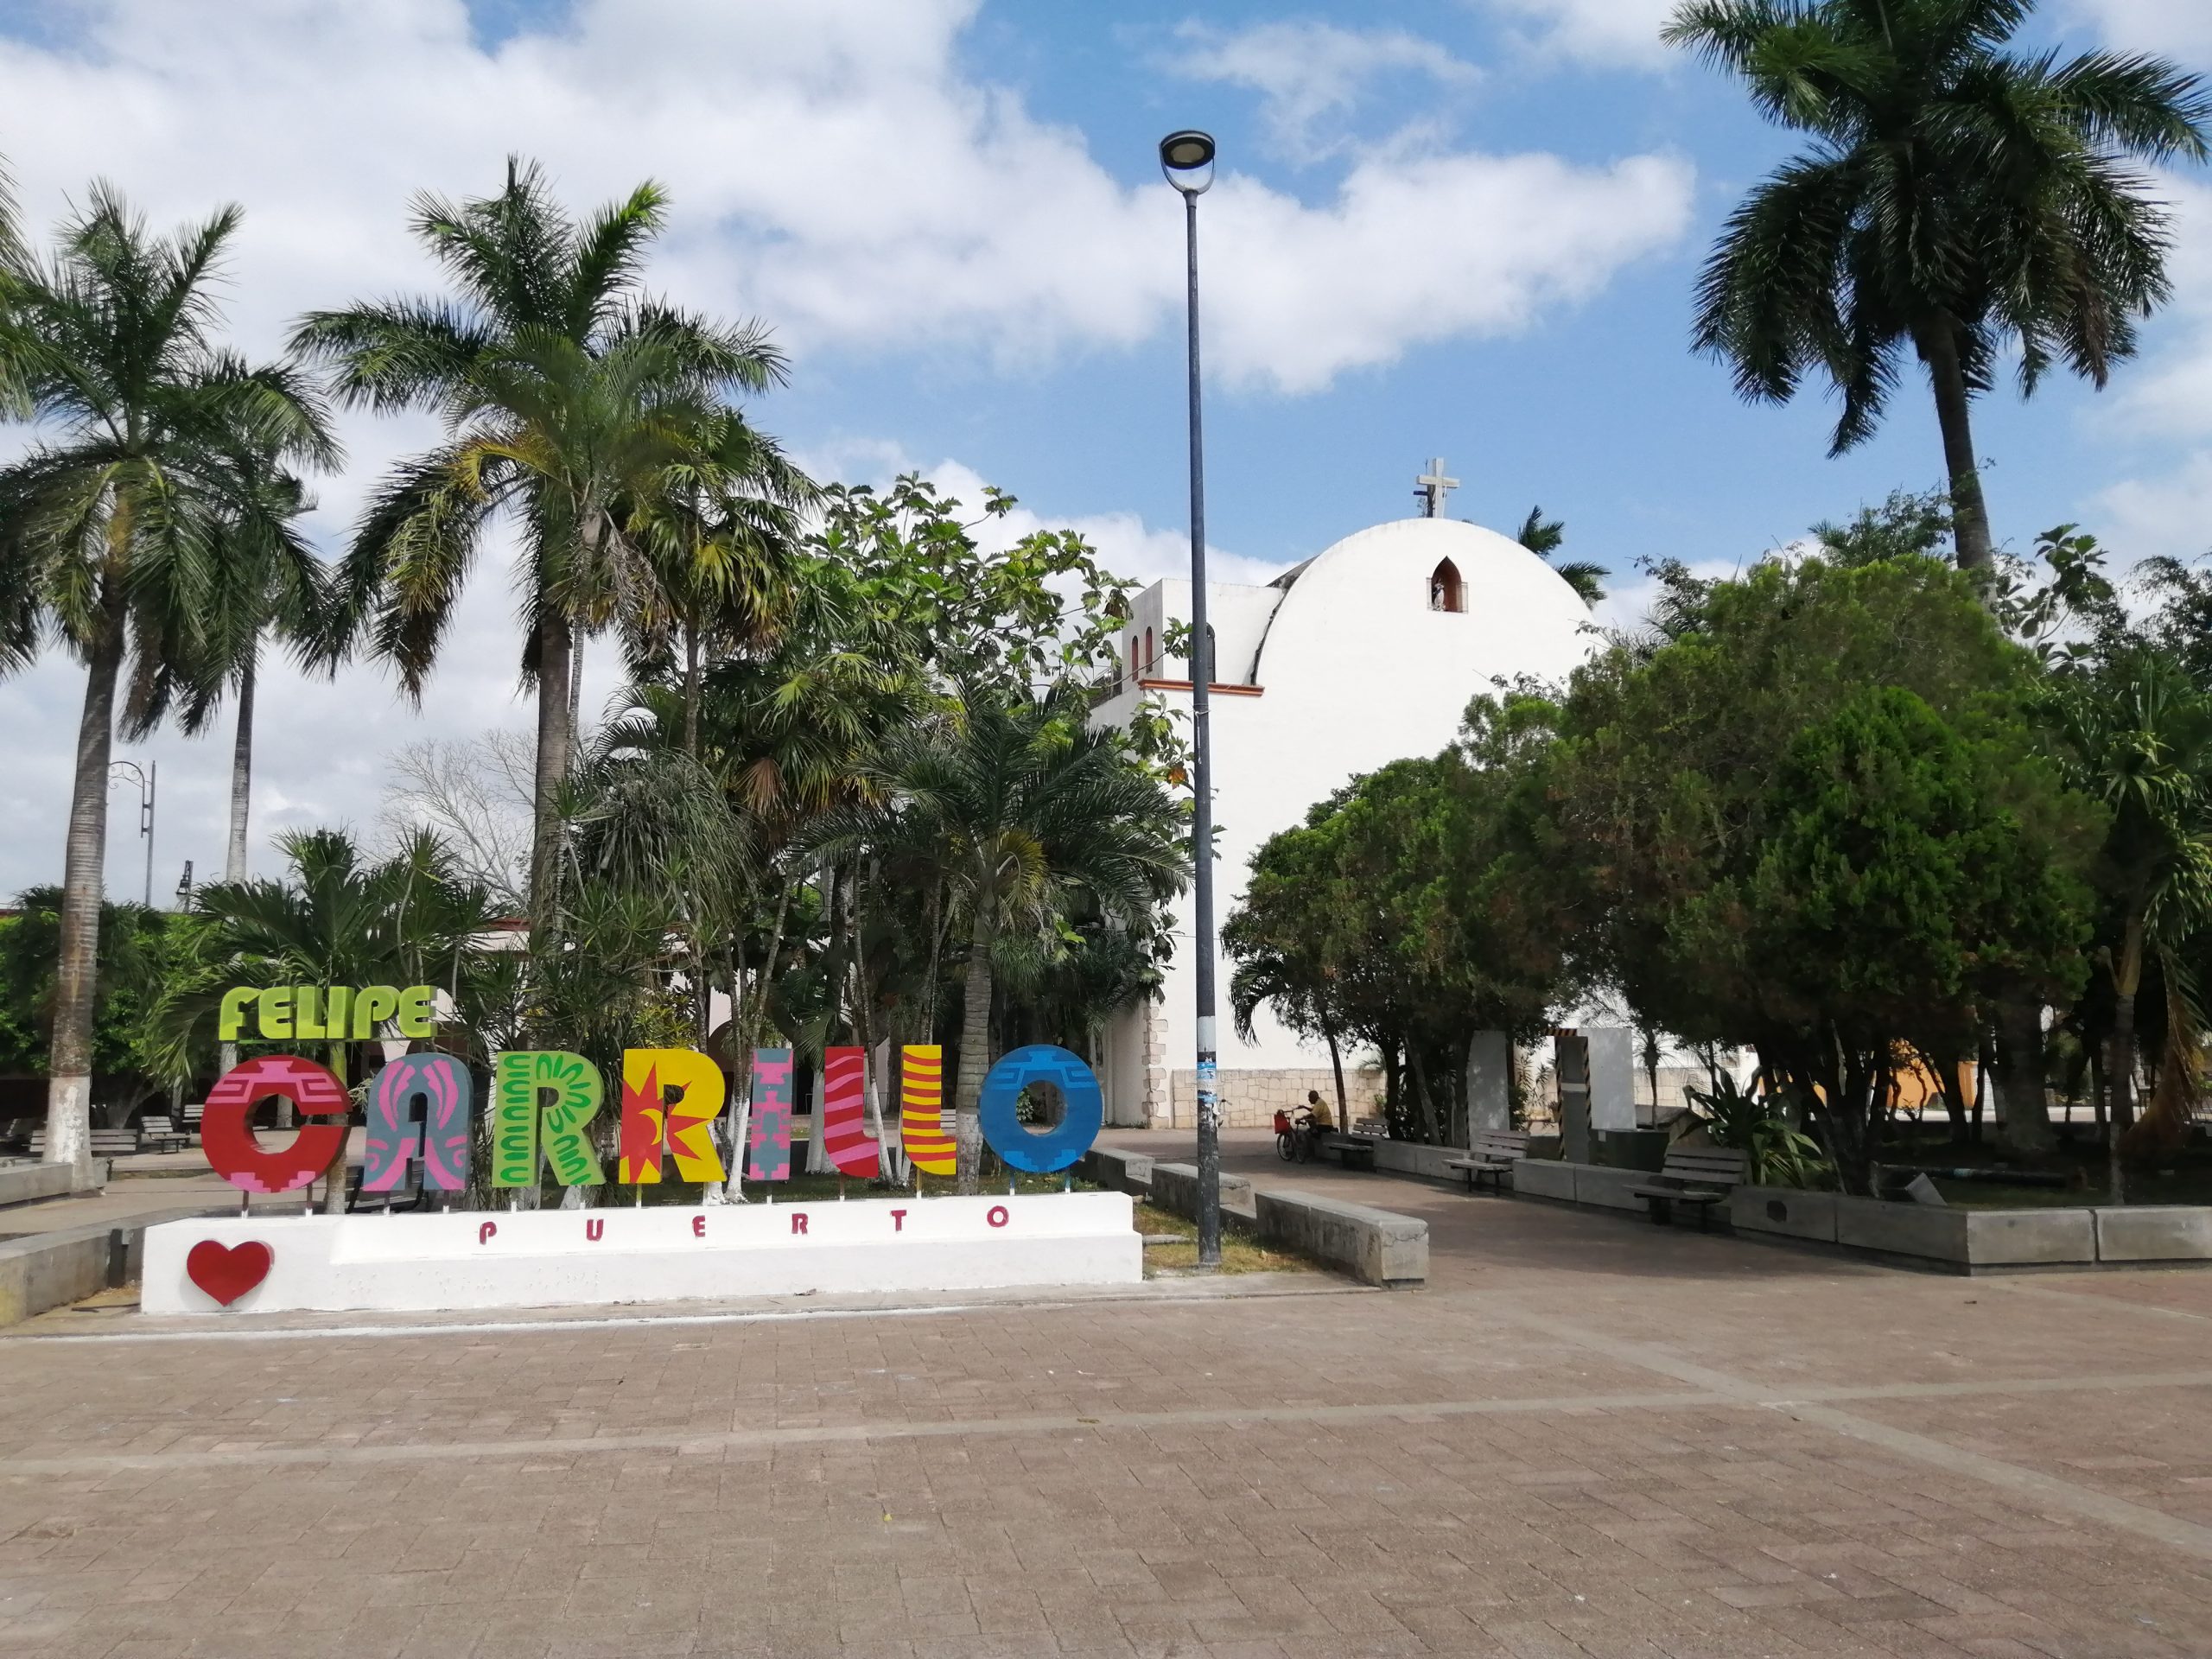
{"x":1021,"y":808}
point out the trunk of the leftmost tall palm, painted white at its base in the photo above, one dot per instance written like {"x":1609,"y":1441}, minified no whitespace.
{"x":76,"y":981}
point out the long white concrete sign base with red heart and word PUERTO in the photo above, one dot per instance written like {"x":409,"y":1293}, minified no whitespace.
{"x":632,"y":1255}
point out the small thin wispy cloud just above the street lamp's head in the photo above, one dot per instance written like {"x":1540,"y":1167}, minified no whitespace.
{"x":1311,"y":74}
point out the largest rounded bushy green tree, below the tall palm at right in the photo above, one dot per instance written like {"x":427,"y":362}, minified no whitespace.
{"x":1751,"y":824}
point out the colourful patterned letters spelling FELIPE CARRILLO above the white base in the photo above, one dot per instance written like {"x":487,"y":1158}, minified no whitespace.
{"x":421,"y":1112}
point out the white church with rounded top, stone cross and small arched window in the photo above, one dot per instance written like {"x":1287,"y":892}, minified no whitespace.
{"x":1366,"y":654}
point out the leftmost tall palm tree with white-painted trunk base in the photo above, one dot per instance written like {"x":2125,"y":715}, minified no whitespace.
{"x":112,"y":528}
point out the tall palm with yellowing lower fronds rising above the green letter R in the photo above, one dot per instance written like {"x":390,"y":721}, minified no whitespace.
{"x":565,"y":393}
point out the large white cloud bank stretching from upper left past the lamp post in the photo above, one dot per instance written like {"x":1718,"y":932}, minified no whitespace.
{"x":853,"y":185}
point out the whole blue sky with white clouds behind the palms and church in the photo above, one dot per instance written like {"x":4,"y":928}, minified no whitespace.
{"x":1443,"y":227}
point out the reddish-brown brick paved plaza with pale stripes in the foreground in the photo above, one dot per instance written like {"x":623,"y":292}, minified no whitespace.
{"x":1585,"y":1439}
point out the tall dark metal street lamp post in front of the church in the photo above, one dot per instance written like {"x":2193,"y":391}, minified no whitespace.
{"x":1189,"y":163}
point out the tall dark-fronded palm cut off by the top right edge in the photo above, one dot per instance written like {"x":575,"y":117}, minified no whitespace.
{"x":1957,"y":200}
